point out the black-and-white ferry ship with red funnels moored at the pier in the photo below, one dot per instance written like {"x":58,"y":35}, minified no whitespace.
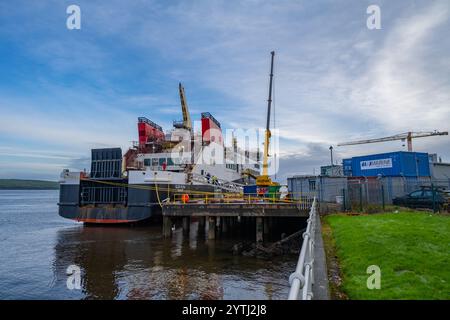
{"x":131,"y":187}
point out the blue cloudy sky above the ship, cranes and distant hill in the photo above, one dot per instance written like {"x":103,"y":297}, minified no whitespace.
{"x":64,"y":91}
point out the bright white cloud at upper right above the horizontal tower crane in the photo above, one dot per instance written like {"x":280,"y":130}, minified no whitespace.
{"x":399,"y":89}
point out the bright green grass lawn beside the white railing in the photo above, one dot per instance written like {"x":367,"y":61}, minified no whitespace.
{"x":412,"y":250}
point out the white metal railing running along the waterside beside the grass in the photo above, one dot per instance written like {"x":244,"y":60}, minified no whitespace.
{"x":302,"y":279}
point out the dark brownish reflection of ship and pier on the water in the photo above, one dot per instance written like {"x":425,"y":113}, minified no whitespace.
{"x":137,"y":263}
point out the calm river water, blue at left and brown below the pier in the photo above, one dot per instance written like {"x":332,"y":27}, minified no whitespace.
{"x":37,"y":247}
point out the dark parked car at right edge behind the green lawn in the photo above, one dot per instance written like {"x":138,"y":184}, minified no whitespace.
{"x":423,"y":198}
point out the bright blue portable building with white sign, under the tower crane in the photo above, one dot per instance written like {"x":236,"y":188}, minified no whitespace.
{"x":392,"y":164}
